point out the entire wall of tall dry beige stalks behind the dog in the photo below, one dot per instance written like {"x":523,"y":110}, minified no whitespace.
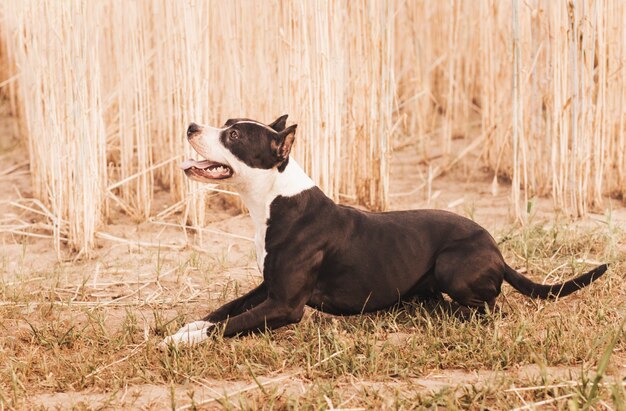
{"x":150,"y":67}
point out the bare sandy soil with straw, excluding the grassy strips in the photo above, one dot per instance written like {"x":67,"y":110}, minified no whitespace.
{"x":127,"y":270}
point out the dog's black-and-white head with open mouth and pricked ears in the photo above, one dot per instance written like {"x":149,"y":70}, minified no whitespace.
{"x":241,"y":151}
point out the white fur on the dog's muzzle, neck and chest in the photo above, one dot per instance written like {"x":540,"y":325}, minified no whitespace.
{"x":256,"y":187}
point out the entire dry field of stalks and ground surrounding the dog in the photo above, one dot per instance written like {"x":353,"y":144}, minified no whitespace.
{"x":510,"y":113}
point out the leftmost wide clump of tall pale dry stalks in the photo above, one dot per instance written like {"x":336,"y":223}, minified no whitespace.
{"x":60,"y":88}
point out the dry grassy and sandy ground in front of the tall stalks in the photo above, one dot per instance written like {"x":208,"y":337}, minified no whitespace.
{"x":83,"y":334}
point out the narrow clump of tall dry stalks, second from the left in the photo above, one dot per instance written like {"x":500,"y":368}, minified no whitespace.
{"x":128,"y":65}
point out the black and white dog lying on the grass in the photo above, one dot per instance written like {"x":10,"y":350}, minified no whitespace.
{"x":335,"y":258}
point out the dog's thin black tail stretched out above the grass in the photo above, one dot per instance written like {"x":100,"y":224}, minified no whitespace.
{"x":535,"y":290}
